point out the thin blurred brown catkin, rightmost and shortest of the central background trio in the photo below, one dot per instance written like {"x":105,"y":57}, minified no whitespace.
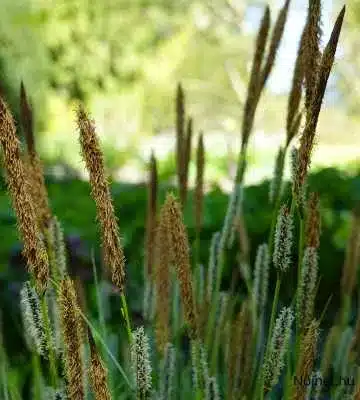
{"x":199,"y":184}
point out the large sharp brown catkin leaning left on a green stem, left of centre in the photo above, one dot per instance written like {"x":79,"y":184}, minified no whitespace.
{"x":112,"y":248}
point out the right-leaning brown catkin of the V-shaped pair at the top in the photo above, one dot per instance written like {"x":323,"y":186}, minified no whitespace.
{"x":275,"y":43}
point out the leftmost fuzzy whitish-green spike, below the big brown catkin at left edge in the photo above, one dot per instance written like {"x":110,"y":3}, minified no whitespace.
{"x":32,"y":318}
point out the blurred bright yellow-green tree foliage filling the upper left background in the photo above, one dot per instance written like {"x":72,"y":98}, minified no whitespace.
{"x":123,"y":58}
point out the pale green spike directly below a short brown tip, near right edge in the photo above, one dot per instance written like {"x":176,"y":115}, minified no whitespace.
{"x":307,"y":287}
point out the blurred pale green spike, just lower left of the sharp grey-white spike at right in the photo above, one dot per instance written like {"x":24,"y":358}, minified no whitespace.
{"x":261,"y":277}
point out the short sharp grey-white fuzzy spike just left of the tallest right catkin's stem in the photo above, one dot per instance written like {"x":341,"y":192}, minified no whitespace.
{"x":283,"y":240}
